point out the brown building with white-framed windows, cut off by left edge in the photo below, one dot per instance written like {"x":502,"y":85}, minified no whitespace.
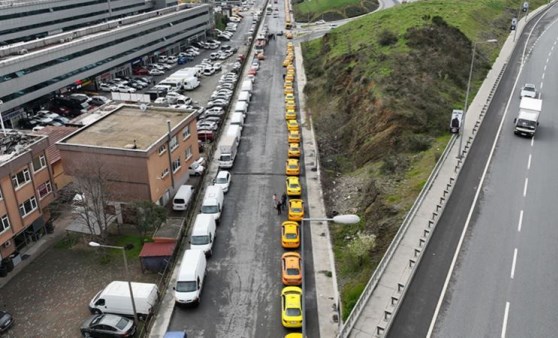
{"x":26,"y":189}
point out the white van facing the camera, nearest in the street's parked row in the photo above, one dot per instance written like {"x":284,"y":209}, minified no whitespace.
{"x":189,"y":282}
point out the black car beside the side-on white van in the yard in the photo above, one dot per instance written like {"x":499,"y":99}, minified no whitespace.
{"x":106,"y":325}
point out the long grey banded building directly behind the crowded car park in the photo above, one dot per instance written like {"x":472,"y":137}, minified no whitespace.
{"x":32,"y":70}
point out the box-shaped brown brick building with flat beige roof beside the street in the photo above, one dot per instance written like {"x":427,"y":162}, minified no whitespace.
{"x":143,"y":153}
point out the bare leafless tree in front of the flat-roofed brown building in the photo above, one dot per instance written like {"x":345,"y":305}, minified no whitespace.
{"x":92,"y":181}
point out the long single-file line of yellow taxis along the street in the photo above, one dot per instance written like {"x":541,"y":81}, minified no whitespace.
{"x":291,"y":261}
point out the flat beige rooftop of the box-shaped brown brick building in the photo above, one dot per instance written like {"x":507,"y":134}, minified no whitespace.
{"x":127,"y":124}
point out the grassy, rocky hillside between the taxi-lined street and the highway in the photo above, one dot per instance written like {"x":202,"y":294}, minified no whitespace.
{"x":380,"y":92}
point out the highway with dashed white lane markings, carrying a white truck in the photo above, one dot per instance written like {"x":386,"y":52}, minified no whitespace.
{"x":480,"y":287}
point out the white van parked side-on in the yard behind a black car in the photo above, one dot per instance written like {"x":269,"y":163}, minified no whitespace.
{"x":115,"y":298}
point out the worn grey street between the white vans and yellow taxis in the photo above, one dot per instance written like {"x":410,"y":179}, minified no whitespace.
{"x":241,"y":297}
